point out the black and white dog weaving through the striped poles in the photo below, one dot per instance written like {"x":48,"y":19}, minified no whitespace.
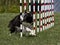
{"x":16,"y":24}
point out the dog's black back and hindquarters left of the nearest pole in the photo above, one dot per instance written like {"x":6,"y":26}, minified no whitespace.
{"x":14,"y":22}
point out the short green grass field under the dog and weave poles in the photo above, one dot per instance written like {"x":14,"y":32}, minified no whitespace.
{"x":47,"y":37}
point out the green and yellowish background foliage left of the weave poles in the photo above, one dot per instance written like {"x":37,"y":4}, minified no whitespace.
{"x":9,"y":5}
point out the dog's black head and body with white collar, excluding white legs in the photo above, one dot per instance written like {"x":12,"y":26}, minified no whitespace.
{"x":15,"y":22}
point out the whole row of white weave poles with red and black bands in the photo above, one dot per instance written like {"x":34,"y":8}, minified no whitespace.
{"x":43,"y":18}
